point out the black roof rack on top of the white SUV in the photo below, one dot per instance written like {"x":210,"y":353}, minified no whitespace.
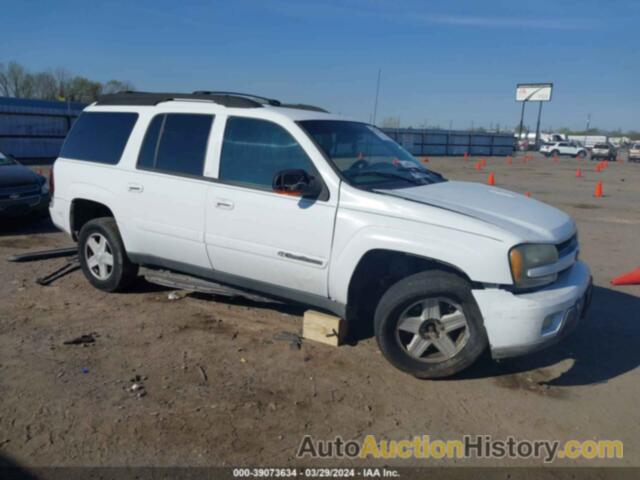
{"x":227,"y":99}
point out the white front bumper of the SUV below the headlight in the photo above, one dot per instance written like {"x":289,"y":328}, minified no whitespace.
{"x":521,"y":323}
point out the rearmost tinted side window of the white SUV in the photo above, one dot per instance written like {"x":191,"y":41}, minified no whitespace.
{"x":99,"y":137}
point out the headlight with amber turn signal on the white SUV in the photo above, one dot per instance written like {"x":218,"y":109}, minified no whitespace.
{"x":525,"y":257}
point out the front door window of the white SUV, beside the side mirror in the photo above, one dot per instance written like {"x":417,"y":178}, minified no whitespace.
{"x":255,"y":150}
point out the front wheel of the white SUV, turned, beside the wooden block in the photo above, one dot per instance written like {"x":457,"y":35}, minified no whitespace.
{"x":415,"y":298}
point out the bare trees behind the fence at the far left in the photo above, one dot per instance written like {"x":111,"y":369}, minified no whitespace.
{"x":55,"y":84}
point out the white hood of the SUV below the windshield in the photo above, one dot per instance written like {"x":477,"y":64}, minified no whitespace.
{"x":531,"y":220}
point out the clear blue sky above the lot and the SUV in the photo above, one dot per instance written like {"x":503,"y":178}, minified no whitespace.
{"x":443,"y":62}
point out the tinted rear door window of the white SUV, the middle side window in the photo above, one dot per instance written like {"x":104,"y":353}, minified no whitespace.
{"x":176,"y":143}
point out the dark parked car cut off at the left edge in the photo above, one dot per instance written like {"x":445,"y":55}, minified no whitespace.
{"x":22,"y":191}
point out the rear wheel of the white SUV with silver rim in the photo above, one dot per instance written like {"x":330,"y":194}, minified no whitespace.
{"x":100,"y":244}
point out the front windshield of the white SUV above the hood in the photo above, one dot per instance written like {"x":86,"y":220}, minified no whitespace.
{"x":366,"y":156}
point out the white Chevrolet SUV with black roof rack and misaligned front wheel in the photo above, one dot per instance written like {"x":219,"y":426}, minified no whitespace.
{"x":293,"y":203}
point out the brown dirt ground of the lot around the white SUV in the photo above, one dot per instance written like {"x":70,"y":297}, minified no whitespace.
{"x":221,"y":387}
